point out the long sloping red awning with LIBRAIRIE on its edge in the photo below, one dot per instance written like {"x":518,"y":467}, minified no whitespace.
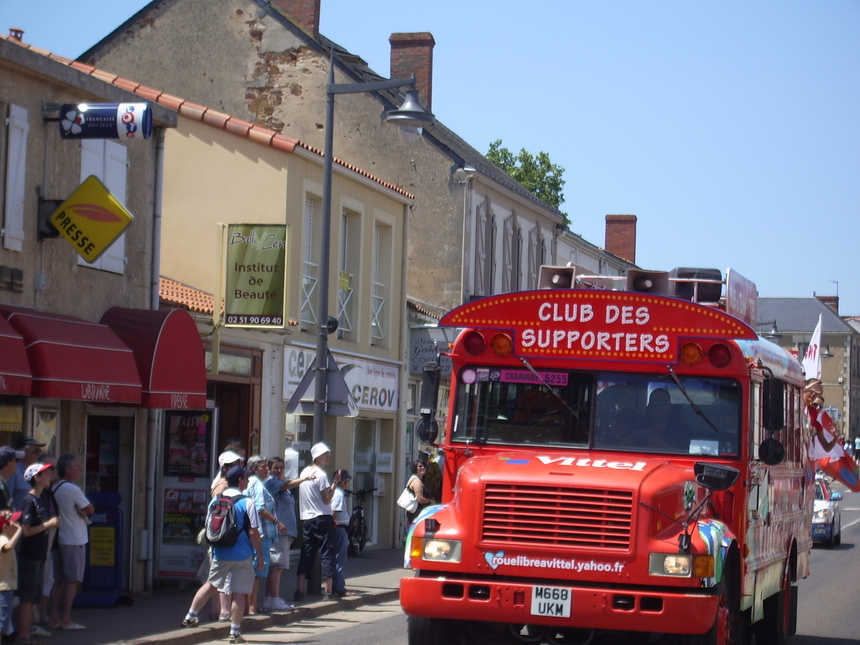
{"x":74,"y":359}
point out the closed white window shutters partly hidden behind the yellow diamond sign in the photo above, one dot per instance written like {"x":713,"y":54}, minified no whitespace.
{"x":108,"y":161}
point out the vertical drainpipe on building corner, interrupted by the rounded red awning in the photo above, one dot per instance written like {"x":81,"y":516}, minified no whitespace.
{"x":149,"y":532}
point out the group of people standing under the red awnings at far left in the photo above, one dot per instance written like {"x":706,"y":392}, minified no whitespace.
{"x":43,"y":536}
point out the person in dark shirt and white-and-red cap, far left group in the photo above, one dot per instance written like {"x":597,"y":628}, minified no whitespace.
{"x":34,"y":547}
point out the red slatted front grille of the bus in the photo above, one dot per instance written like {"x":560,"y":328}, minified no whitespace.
{"x":557,"y":516}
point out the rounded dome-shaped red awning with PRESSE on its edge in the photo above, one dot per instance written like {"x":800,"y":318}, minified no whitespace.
{"x":169,"y":355}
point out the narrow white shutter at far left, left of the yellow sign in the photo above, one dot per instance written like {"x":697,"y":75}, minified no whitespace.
{"x":16,"y":171}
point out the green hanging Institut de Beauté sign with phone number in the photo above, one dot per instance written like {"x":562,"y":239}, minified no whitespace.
{"x":256,"y":275}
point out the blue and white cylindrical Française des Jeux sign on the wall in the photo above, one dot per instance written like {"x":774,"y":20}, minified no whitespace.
{"x":105,"y":121}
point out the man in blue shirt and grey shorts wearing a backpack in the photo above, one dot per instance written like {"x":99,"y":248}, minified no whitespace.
{"x":235,"y":561}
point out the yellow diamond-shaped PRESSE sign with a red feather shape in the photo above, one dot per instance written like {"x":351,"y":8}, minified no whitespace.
{"x":91,"y":219}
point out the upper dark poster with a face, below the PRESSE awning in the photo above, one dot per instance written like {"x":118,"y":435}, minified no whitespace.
{"x":188,"y":437}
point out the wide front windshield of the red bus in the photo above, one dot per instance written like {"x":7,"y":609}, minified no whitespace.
{"x":603,"y":410}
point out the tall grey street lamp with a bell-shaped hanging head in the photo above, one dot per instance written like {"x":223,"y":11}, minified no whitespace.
{"x":410,"y":120}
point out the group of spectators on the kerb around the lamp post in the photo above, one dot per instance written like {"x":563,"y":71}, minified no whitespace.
{"x":244,"y":578}
